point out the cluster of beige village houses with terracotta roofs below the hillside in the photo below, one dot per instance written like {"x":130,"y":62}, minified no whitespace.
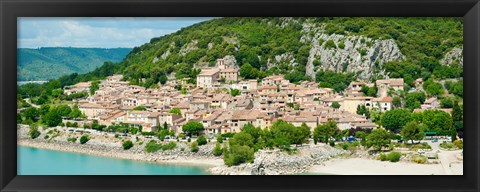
{"x":223,"y":103}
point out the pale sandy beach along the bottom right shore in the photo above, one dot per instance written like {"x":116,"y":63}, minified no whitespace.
{"x":359,"y":166}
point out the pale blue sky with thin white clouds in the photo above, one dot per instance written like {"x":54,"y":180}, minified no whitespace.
{"x":35,"y":32}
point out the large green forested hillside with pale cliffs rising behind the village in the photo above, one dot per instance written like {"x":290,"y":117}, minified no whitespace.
{"x":300,"y":48}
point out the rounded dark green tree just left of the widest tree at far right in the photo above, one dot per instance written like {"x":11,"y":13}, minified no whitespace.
{"x":395,"y":119}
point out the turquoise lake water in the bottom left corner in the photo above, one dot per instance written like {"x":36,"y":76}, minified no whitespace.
{"x":34,"y":161}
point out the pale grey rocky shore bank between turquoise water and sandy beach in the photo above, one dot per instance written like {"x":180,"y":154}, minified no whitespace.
{"x":276,"y":162}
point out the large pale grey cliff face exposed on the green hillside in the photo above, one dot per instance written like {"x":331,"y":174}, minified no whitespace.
{"x":351,"y":54}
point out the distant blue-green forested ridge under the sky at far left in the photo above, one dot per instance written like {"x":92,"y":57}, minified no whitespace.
{"x":52,"y":62}
